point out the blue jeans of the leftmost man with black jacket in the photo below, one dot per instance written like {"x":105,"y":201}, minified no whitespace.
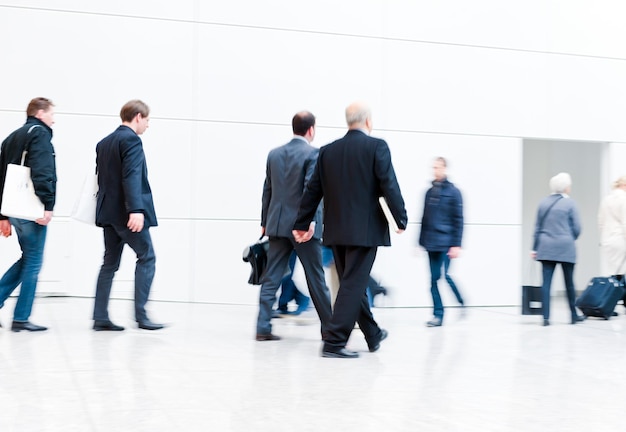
{"x":32,"y":239}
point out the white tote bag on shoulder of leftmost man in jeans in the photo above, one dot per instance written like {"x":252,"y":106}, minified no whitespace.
{"x":18,"y":198}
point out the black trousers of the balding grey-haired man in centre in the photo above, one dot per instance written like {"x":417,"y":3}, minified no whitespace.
{"x":354,"y":264}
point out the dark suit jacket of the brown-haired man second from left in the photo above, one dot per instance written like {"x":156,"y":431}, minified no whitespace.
{"x":122,"y":179}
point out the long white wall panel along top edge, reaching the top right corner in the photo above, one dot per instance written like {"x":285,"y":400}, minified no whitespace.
{"x":533,"y":25}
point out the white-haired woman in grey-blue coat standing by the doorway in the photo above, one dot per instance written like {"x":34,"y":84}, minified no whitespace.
{"x":556,"y":230}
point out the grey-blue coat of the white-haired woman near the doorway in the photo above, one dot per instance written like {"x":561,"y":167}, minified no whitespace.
{"x":555,"y":240}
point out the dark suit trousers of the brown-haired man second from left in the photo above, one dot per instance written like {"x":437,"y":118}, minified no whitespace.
{"x":115,"y":237}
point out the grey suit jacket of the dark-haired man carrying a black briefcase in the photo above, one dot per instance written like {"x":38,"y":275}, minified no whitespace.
{"x":289,"y":168}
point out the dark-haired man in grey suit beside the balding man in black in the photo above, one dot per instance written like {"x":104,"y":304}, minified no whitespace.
{"x":289,"y":167}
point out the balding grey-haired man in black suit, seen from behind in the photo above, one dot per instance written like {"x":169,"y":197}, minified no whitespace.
{"x":351,"y":174}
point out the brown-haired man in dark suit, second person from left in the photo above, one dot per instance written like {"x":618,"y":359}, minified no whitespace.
{"x":126,"y":212}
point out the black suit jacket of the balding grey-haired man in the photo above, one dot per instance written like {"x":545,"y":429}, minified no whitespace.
{"x":351,"y":174}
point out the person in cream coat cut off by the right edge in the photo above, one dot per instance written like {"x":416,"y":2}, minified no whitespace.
{"x":612,"y":225}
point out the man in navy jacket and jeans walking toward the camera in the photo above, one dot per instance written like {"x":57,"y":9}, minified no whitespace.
{"x":441,"y":233}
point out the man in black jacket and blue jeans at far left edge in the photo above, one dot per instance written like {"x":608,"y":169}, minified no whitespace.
{"x":34,"y":138}
